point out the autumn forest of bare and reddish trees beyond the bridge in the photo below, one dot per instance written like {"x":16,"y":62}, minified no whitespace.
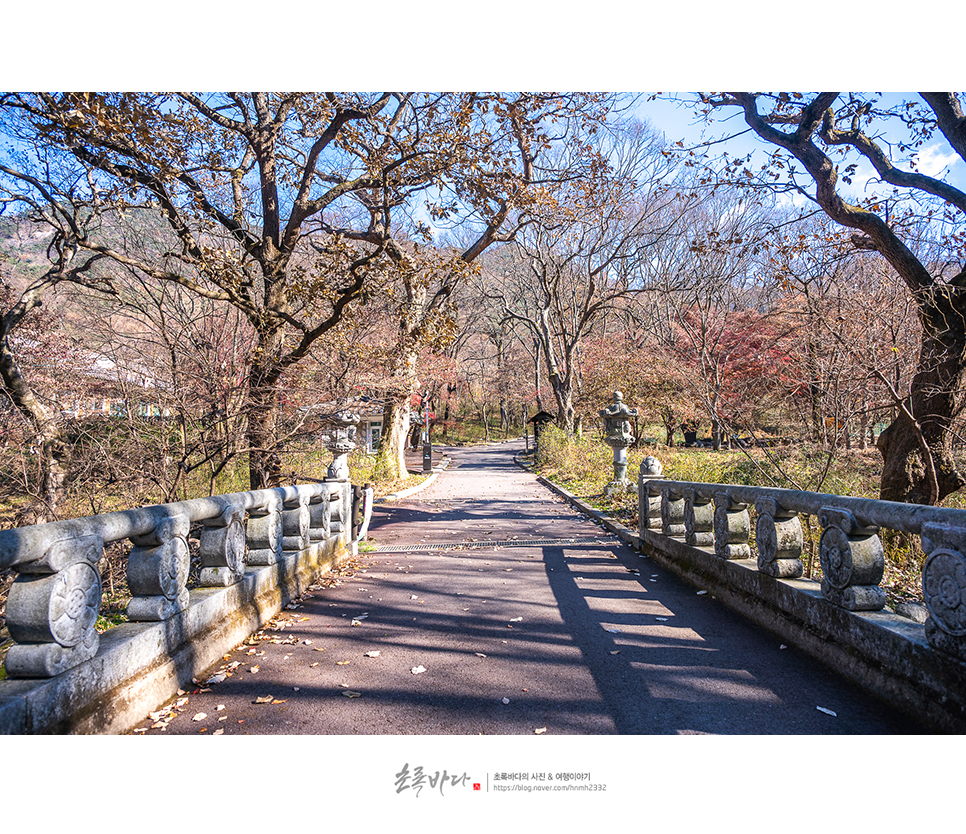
{"x":189,"y":283}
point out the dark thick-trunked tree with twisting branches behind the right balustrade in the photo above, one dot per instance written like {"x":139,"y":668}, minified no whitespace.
{"x":917,"y":227}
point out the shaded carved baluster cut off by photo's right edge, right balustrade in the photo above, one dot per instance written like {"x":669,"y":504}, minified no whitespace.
{"x":944,"y":587}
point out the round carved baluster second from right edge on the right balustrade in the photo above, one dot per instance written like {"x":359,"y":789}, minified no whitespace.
{"x":853,"y":561}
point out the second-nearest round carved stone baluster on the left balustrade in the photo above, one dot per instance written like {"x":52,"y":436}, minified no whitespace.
{"x":157,"y":572}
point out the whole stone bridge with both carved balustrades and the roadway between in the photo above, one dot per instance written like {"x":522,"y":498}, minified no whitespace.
{"x":493,"y":603}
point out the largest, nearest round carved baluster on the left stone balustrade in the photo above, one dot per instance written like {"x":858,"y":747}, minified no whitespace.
{"x":52,"y":609}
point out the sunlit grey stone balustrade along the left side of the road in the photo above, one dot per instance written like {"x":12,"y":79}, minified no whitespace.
{"x":255,"y":550}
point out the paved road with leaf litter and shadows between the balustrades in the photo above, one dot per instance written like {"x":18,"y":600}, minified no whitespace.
{"x":553,"y":636}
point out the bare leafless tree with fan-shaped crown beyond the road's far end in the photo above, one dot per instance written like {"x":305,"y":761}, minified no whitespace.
{"x":565,"y":272}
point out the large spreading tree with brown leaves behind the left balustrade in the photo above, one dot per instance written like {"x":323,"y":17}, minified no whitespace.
{"x":286,"y":205}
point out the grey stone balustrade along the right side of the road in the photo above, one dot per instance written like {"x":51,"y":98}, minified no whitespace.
{"x":704,"y":533}
